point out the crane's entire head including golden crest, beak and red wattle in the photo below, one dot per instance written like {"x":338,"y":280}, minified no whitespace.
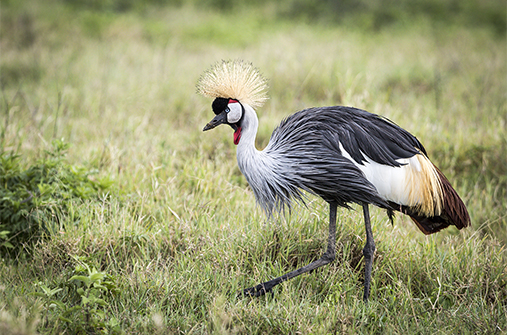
{"x":232,"y":84}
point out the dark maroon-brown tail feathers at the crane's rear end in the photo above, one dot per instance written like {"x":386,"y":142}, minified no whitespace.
{"x":453,"y":212}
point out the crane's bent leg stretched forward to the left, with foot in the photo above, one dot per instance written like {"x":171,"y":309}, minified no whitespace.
{"x":328,"y":257}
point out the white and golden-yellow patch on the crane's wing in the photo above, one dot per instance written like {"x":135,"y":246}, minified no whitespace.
{"x":414,"y":184}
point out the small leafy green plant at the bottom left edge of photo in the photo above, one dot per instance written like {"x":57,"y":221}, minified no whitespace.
{"x":79,"y":304}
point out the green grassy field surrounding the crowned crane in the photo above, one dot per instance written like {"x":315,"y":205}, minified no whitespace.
{"x":172,"y":228}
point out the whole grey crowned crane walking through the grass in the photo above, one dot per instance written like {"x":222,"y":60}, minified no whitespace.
{"x":342,"y":154}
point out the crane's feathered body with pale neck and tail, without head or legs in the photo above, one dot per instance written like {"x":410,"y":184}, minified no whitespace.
{"x":345,"y":155}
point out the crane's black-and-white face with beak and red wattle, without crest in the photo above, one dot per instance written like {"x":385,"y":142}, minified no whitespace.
{"x":228,"y":111}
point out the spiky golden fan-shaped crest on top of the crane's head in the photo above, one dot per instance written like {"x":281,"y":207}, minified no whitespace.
{"x":234,"y":79}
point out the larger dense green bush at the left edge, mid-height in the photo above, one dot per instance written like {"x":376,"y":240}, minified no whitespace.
{"x":36,"y":199}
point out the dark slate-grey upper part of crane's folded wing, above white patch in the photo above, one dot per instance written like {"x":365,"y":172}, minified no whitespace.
{"x":359,"y":132}
